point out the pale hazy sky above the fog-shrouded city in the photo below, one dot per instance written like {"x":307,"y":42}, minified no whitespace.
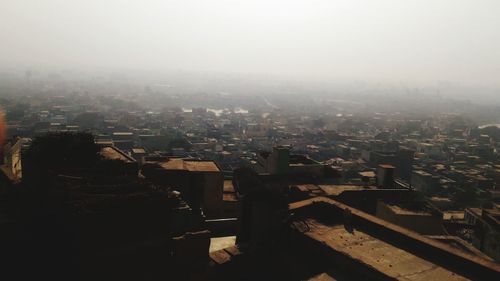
{"x":386,"y":40}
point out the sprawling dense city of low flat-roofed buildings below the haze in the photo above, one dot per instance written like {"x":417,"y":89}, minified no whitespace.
{"x":379,"y":196}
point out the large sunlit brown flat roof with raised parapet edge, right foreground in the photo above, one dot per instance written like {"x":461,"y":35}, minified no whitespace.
{"x":377,"y":249}
